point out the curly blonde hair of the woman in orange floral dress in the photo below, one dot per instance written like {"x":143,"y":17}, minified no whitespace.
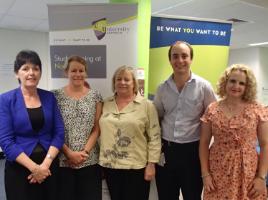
{"x":250,"y":93}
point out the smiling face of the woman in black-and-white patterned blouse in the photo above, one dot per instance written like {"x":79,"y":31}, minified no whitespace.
{"x":76,"y":73}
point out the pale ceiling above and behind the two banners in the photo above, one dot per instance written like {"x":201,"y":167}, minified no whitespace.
{"x":32,"y":15}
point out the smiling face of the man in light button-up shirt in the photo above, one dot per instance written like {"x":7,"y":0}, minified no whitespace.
{"x":180,"y":59}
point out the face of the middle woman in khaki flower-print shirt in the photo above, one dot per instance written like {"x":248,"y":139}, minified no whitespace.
{"x":124,"y":83}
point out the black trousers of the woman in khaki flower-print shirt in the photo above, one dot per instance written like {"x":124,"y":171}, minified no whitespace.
{"x":127,"y":184}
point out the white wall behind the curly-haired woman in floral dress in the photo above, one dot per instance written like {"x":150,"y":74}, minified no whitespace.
{"x":257,"y":59}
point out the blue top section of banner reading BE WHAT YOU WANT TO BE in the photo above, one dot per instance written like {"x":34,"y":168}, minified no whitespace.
{"x":165,"y":31}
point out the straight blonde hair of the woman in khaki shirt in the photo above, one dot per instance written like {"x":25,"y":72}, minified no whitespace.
{"x":125,"y":68}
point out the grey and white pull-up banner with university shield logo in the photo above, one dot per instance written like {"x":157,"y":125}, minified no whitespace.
{"x":105,"y":35}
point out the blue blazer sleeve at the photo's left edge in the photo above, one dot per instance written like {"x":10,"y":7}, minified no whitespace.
{"x":7,"y":135}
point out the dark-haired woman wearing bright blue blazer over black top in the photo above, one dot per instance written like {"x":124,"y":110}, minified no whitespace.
{"x":31,"y":134}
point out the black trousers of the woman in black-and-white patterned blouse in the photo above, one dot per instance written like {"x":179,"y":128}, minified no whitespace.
{"x":81,"y":184}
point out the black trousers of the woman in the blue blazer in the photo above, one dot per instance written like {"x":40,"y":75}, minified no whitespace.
{"x":17,"y":185}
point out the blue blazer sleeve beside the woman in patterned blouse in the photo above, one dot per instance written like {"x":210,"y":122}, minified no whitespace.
{"x":58,"y":136}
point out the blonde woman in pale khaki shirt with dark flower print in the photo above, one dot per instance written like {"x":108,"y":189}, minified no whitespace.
{"x":130,"y":139}
